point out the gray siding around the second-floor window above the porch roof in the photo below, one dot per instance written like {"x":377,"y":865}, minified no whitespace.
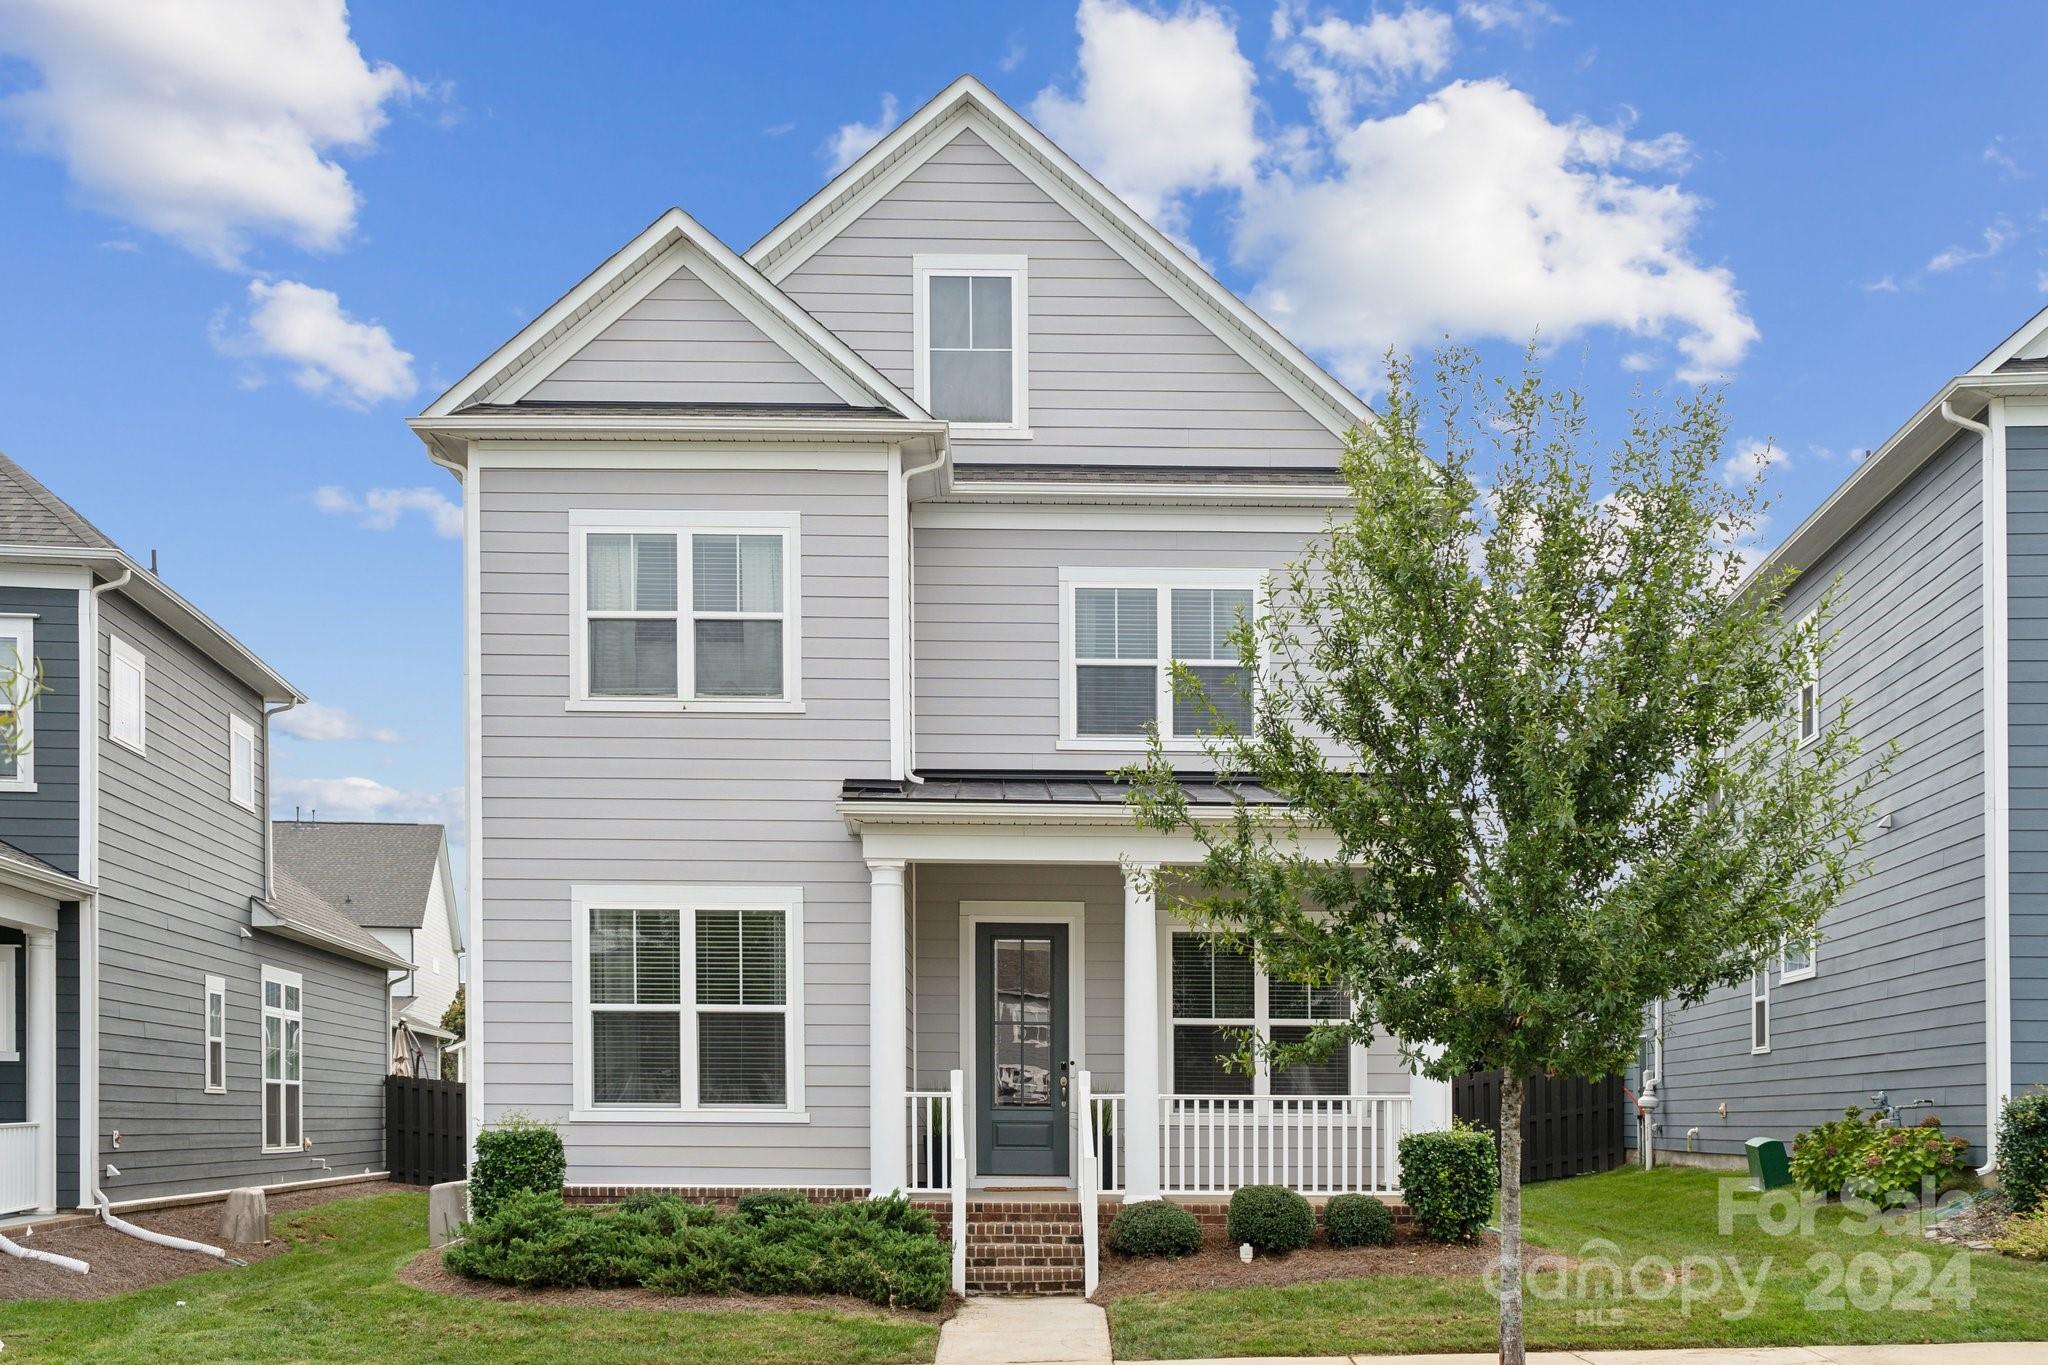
{"x":988,"y":631}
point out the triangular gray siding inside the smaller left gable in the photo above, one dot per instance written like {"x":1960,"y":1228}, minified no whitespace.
{"x":683,"y":345}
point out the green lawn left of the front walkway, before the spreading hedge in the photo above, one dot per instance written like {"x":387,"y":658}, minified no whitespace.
{"x":335,"y":1298}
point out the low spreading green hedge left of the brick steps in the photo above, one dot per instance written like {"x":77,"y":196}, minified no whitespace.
{"x":882,"y":1251}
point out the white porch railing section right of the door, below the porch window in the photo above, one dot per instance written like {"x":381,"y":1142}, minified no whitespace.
{"x":1211,"y":1145}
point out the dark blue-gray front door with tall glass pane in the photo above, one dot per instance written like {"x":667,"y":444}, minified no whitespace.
{"x":1021,"y":1049}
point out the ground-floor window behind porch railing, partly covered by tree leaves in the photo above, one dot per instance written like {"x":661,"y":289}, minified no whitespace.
{"x":1220,"y":996}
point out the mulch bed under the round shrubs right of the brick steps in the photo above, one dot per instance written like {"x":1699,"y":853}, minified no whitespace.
{"x":1218,"y":1266}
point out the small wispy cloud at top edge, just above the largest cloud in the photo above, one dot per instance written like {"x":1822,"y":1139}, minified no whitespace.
{"x":1342,"y":64}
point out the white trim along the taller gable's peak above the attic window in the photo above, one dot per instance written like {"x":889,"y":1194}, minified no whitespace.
{"x":972,"y":105}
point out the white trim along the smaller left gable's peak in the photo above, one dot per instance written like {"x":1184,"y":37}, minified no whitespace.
{"x":628,"y":277}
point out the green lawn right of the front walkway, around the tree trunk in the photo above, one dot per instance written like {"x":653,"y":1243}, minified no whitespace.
{"x":1883,"y":1290}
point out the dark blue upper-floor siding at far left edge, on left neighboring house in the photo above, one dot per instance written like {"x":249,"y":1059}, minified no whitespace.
{"x":46,"y":822}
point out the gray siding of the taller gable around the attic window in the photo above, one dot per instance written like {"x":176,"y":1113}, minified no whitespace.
{"x":1119,"y":371}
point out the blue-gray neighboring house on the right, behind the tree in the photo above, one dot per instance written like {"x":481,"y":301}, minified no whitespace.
{"x":1930,"y":981}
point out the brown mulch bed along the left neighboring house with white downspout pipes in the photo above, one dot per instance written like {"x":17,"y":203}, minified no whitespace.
{"x":122,"y":1264}
